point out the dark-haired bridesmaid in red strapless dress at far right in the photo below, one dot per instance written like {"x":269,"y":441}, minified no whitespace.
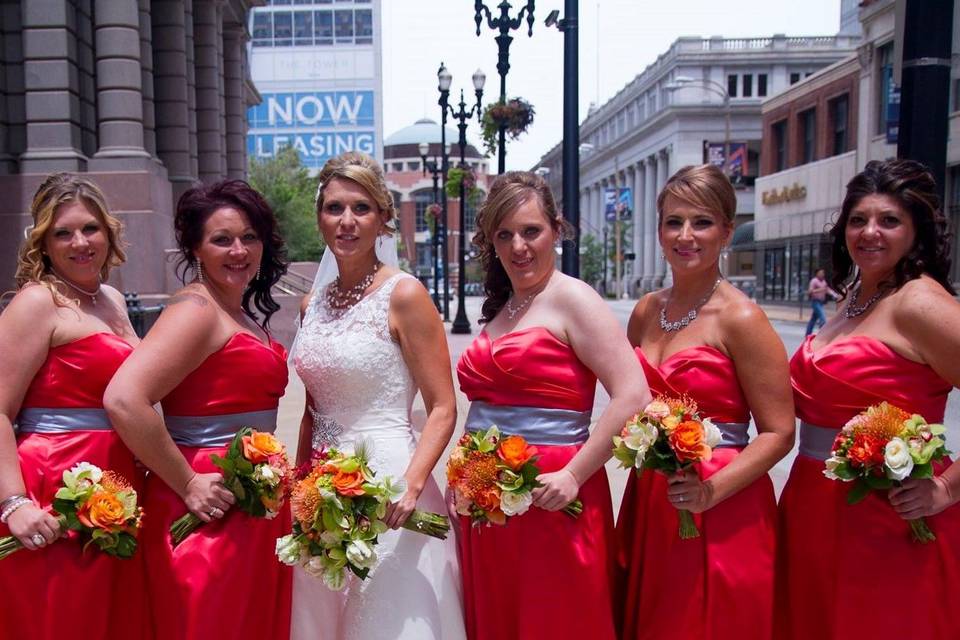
{"x":853,"y":570}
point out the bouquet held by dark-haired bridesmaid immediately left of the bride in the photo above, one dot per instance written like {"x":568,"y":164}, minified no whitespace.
{"x":256,"y":471}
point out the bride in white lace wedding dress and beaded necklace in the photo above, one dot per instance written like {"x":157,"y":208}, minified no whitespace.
{"x":369,"y":339}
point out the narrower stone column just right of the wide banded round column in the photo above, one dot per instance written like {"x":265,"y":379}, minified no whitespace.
{"x":170,"y":102}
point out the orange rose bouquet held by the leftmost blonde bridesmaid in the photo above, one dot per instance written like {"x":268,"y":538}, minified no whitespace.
{"x":100,"y":505}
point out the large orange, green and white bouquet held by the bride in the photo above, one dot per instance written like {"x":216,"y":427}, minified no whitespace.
{"x":338,"y":511}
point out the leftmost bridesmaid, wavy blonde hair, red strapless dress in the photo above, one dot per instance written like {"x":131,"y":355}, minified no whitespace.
{"x":62,"y":338}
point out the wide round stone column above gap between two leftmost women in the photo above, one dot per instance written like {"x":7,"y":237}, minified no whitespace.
{"x":119,"y":78}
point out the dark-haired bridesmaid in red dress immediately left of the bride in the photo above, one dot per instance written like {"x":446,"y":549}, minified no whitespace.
{"x":206,"y":361}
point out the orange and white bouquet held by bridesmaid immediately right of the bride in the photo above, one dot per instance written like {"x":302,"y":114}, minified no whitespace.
{"x":493,"y":476}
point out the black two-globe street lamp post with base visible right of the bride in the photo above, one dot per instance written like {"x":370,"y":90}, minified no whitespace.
{"x":462,"y":115}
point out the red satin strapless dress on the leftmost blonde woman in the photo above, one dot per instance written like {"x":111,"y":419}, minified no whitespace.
{"x":61,"y":591}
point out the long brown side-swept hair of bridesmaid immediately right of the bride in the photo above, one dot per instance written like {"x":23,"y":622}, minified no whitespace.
{"x":508,"y":192}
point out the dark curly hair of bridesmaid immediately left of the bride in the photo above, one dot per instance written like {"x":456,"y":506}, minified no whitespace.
{"x":196,"y":206}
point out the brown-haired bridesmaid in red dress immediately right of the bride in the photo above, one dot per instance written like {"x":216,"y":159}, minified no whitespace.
{"x":533,"y":372}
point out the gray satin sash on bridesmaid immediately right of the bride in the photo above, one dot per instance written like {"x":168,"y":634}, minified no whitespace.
{"x":537,"y":425}
